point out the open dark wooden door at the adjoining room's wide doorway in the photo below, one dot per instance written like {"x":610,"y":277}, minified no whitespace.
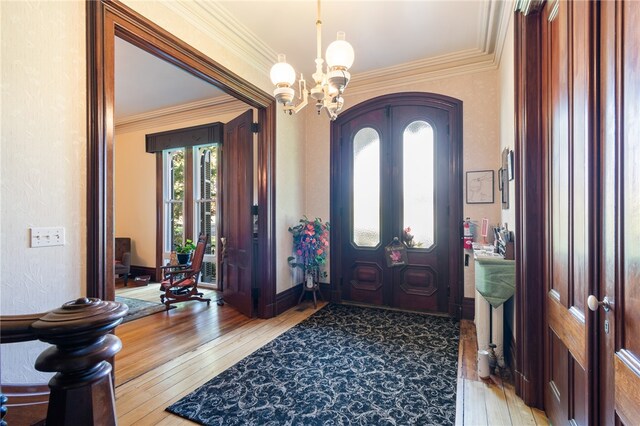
{"x":237,"y":219}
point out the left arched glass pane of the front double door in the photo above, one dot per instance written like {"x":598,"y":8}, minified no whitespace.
{"x":366,"y":188}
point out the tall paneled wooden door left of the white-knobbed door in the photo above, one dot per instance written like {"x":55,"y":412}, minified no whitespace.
{"x":571,"y":187}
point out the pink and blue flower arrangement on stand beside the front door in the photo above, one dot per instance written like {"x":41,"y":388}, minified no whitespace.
{"x":311,"y":246}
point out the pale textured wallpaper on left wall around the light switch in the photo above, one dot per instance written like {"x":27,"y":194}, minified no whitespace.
{"x":43,"y":164}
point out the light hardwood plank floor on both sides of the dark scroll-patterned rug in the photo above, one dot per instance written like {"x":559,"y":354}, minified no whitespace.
{"x":169,"y":354}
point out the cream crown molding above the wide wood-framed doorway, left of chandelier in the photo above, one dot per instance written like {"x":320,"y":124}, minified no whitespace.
{"x":215,"y":21}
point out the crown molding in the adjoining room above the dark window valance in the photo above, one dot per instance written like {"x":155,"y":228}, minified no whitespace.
{"x":180,"y":113}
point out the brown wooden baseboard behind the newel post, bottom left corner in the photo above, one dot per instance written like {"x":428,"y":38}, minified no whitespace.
{"x":26,"y":404}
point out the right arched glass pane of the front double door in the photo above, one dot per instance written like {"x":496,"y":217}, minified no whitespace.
{"x":418,"y":184}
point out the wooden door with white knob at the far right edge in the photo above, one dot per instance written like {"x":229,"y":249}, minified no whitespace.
{"x":619,"y":348}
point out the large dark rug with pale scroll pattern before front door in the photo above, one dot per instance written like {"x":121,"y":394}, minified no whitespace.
{"x":345,"y":365}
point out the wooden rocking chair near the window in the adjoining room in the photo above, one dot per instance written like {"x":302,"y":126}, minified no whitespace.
{"x":180,"y":282}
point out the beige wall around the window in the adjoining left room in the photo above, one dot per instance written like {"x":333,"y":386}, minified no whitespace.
{"x":135,"y":179}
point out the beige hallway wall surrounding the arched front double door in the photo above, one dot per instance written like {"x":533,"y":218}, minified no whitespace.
{"x":481,"y":133}
